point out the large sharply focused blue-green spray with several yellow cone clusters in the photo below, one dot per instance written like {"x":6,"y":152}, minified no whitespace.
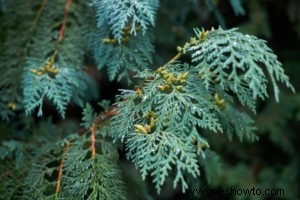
{"x":164,"y":116}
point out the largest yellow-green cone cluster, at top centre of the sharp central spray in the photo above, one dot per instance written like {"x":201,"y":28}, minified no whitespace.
{"x":171,"y":81}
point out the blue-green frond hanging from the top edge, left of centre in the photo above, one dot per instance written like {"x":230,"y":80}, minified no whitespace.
{"x":123,"y":43}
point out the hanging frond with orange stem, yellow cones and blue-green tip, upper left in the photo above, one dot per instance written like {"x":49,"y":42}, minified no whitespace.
{"x":54,"y":61}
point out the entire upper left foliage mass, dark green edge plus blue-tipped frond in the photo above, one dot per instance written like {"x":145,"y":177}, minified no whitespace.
{"x":33,"y":47}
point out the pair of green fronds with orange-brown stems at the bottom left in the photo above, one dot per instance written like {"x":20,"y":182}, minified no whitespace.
{"x":81,"y":175}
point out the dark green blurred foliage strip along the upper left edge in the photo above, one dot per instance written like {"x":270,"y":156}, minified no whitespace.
{"x":10,"y":84}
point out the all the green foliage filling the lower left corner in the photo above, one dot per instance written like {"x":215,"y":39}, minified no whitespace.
{"x":60,"y":168}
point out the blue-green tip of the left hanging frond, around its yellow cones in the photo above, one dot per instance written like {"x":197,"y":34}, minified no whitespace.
{"x":57,"y":86}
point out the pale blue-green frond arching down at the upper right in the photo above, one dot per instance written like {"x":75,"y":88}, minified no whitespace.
{"x":237,"y":63}
